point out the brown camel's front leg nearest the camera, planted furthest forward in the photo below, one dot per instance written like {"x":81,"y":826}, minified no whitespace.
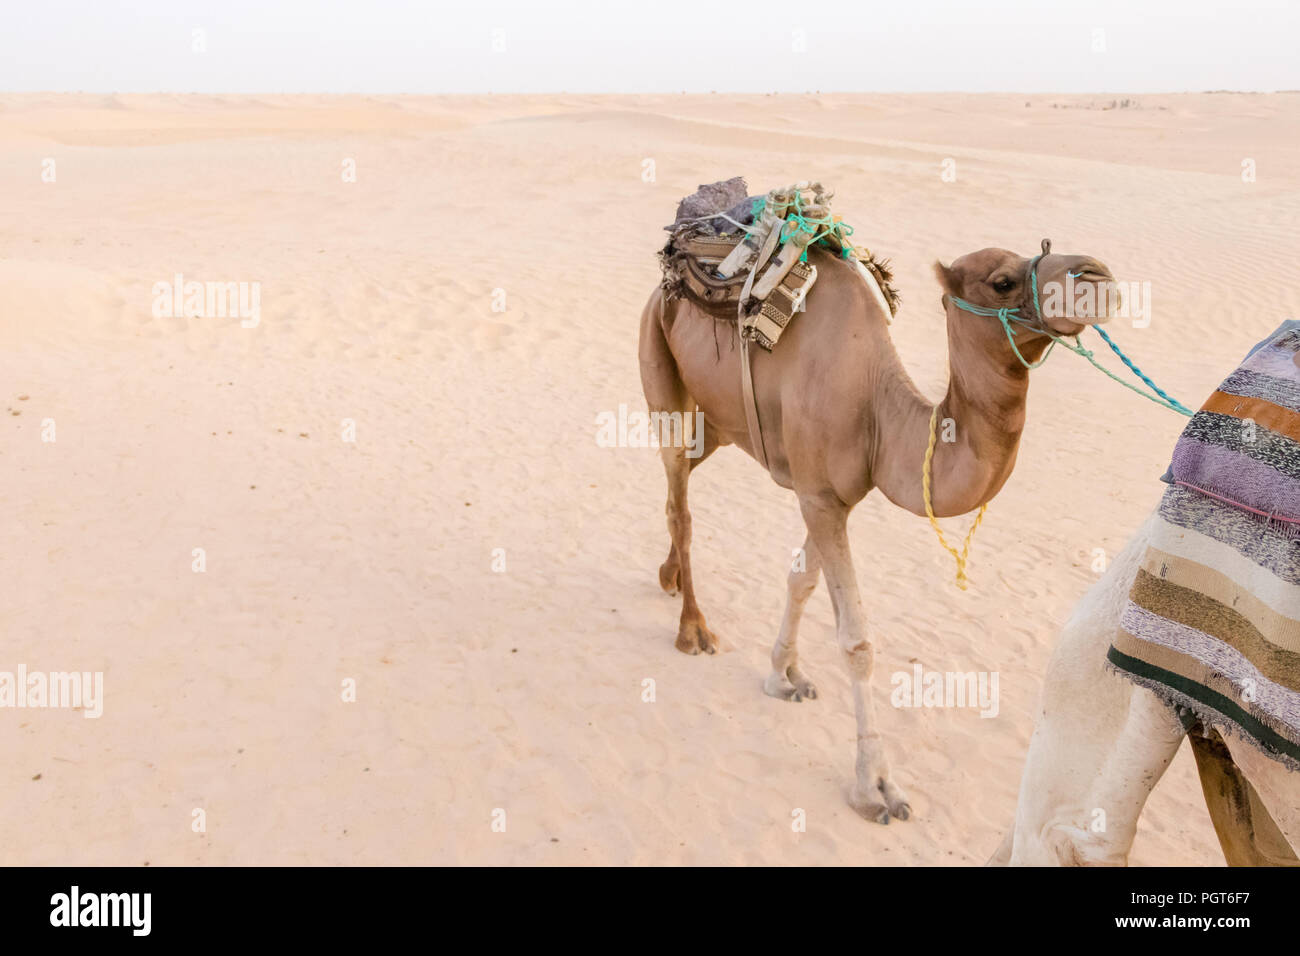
{"x":874,"y":794}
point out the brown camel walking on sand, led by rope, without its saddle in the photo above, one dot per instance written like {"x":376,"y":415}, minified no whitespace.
{"x":840,"y":417}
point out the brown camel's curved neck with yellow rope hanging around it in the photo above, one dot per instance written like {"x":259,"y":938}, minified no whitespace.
{"x":980,"y":423}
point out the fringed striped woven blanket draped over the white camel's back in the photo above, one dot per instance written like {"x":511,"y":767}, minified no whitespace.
{"x":1214,"y":618}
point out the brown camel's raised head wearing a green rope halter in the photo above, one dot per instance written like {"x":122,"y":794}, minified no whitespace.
{"x":1061,"y":293}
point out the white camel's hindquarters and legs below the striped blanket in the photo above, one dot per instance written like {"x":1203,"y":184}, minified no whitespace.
{"x":1102,"y":745}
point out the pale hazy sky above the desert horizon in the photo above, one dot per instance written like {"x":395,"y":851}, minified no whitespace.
{"x":404,"y":46}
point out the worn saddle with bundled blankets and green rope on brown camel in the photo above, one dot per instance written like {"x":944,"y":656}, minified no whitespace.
{"x":734,"y":252}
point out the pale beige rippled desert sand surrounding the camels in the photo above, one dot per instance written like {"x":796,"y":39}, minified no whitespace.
{"x":372,"y":561}
